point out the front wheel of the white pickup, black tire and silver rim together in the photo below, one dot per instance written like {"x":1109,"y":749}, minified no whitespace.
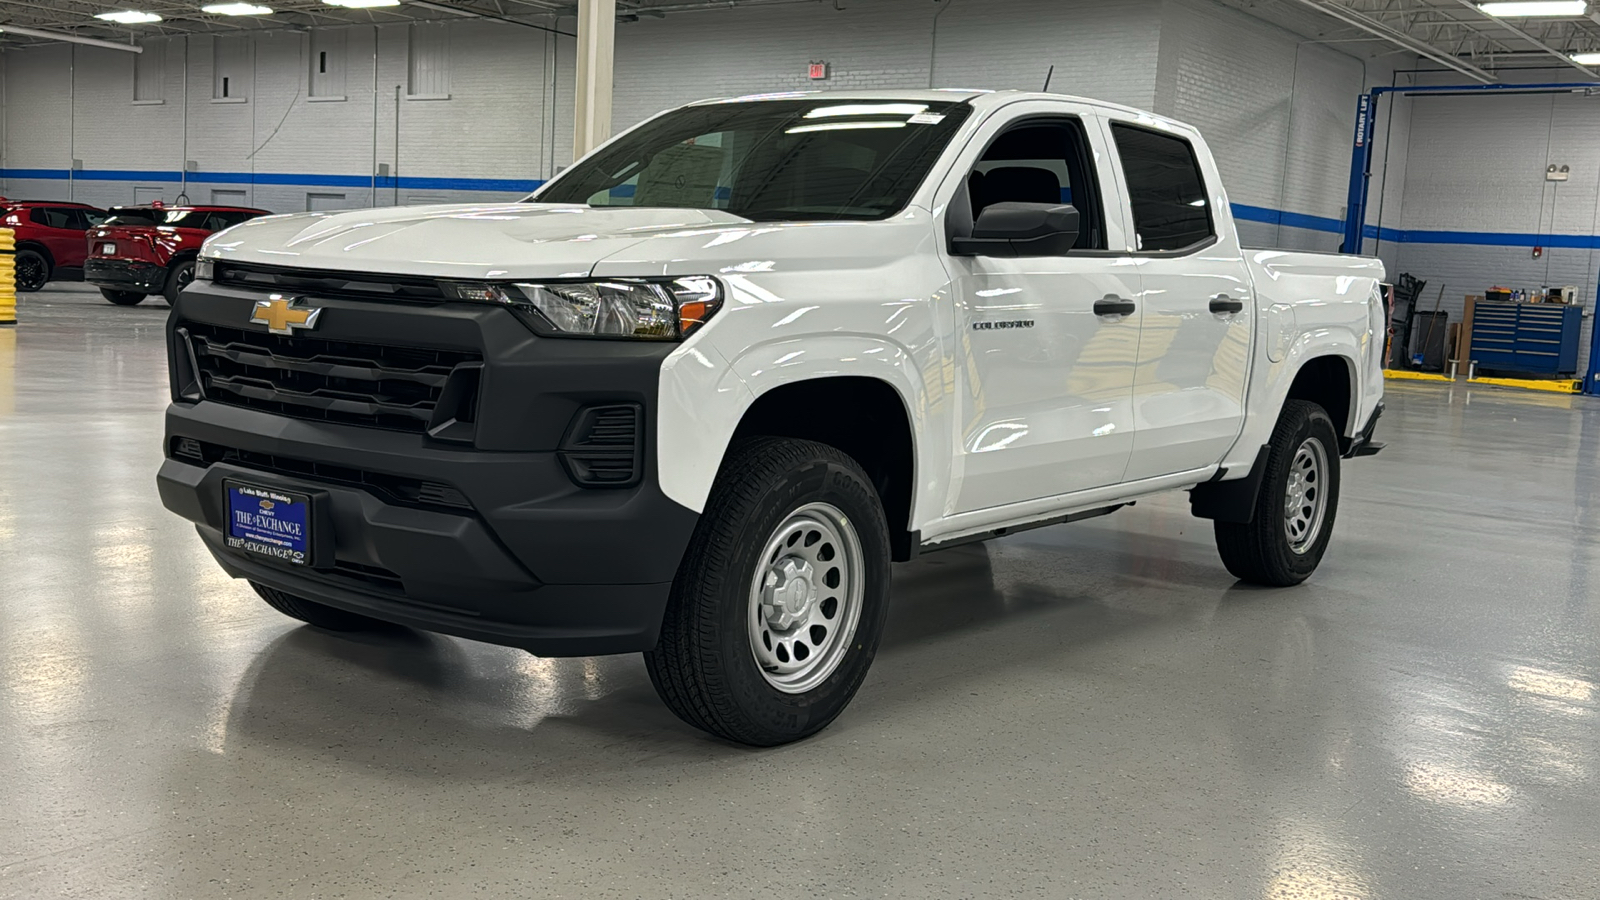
{"x":780,"y":603}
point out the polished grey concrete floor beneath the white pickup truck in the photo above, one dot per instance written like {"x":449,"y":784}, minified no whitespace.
{"x":1087,"y":712}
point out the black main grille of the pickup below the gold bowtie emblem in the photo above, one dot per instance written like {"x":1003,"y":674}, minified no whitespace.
{"x":351,"y":384}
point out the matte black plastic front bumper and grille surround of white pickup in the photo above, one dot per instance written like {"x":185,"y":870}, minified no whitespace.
{"x":524,"y":558}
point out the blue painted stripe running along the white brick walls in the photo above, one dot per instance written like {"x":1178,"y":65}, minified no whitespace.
{"x":1242,"y":212}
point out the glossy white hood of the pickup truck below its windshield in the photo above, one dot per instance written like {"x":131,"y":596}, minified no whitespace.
{"x":505,"y":241}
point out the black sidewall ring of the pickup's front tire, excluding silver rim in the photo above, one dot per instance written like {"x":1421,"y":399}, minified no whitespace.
{"x":770,"y":710}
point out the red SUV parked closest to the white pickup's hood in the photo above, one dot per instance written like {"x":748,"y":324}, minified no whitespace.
{"x":143,"y":251}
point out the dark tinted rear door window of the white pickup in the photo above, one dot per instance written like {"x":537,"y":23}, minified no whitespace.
{"x":1170,"y":204}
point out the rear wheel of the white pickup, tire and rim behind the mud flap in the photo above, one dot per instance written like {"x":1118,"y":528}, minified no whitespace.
{"x":1300,"y":496}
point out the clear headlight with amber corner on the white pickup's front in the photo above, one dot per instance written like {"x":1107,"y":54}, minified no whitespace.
{"x":618,"y":308}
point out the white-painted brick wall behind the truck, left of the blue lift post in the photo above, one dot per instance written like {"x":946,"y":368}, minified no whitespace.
{"x":1196,"y":60}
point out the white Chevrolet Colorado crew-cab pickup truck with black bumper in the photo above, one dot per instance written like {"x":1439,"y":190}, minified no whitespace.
{"x":695,"y":395}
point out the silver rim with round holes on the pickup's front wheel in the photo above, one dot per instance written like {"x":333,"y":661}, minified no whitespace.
{"x":806,"y":598}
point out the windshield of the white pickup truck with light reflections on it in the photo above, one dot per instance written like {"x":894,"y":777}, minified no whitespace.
{"x":770,"y":161}
